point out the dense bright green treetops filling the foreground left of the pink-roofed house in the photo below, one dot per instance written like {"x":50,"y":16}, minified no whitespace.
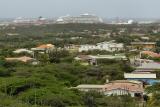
{"x":48,"y":84}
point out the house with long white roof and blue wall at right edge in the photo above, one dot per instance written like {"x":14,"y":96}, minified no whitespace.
{"x":145,"y":77}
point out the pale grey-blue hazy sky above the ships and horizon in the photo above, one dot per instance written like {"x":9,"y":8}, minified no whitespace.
{"x":103,"y":8}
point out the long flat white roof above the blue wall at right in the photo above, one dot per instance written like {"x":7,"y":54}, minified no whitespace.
{"x":139,"y":75}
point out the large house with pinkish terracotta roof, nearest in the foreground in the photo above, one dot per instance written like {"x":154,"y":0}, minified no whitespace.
{"x":125,"y":87}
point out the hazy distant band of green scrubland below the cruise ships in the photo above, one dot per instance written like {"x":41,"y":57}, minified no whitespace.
{"x":60,"y":34}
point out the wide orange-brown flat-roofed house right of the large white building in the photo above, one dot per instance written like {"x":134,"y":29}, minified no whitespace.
{"x":143,"y":45}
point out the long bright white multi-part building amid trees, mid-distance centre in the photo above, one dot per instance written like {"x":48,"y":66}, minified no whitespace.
{"x":107,"y":46}
